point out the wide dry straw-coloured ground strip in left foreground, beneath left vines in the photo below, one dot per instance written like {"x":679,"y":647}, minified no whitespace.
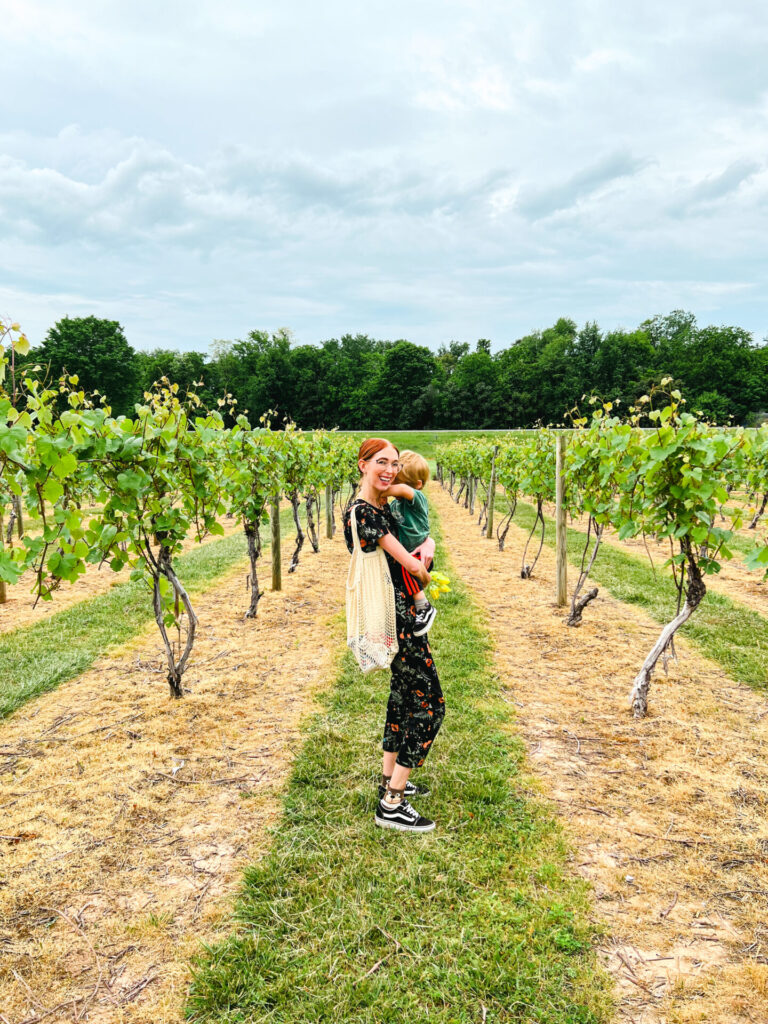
{"x":127,"y":817}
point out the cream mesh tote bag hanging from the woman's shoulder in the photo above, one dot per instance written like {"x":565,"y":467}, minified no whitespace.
{"x":372,"y":630}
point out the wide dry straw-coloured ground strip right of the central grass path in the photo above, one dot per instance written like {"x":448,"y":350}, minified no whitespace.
{"x":668,"y":816}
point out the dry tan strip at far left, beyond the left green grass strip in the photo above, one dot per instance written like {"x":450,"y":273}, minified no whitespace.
{"x":20,"y":608}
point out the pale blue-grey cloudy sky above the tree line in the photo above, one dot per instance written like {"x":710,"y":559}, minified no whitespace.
{"x":431,"y":169}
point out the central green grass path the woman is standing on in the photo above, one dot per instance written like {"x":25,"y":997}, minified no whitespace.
{"x":344,"y":922}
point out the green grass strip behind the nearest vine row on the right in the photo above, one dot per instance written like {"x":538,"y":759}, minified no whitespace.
{"x":730,"y":633}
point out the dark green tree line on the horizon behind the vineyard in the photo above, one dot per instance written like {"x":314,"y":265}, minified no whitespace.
{"x":357,"y":382}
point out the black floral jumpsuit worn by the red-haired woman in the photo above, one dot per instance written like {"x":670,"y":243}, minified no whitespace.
{"x":416,"y":707}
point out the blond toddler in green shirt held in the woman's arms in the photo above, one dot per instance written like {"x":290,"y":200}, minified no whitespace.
{"x":412,"y":513}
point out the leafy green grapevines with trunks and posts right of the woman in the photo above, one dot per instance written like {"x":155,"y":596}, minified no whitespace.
{"x":660,"y":473}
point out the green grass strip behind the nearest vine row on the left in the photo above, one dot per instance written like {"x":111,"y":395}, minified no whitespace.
{"x":39,"y":658}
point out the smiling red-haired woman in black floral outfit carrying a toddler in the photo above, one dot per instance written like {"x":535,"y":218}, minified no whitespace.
{"x":416,"y":707}
